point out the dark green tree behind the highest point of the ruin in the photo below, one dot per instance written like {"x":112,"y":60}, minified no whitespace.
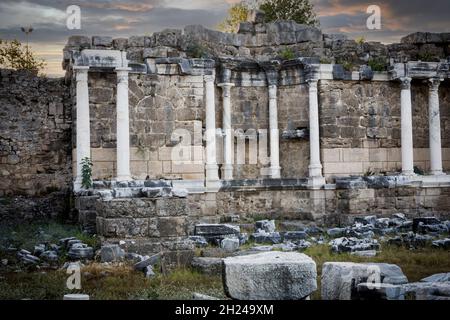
{"x":300,"y":11}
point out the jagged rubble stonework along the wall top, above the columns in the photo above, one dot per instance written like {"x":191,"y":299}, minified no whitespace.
{"x":267,"y":41}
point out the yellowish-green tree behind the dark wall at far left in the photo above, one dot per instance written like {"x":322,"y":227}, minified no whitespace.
{"x":14,"y":55}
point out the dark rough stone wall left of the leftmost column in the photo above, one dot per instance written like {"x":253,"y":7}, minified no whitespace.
{"x":35,"y":139}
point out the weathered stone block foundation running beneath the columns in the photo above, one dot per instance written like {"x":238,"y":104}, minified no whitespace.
{"x":153,"y":224}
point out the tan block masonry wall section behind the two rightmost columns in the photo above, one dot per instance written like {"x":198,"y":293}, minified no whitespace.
{"x":361,"y":128}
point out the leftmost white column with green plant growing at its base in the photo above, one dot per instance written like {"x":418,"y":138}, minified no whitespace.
{"x":83,"y":122}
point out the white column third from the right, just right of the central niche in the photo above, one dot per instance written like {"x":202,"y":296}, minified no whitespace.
{"x":316,"y":179}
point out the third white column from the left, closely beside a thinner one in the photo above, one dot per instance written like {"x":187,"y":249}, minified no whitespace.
{"x":212,"y":170}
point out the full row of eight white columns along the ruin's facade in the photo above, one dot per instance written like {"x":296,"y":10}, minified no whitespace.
{"x":315,"y":166}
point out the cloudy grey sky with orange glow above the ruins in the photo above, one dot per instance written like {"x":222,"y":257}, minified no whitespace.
{"x":143,"y":17}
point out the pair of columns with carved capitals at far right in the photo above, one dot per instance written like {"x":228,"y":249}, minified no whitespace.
{"x":407,"y":148}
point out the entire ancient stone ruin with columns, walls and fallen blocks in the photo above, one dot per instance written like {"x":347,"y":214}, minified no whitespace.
{"x":191,"y":130}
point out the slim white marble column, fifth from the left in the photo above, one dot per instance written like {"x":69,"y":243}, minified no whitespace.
{"x":274,"y":133}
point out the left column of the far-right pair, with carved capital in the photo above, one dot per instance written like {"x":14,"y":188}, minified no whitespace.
{"x":406,"y":125}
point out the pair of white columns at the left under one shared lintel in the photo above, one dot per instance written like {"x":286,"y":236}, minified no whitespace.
{"x":83,"y":123}
